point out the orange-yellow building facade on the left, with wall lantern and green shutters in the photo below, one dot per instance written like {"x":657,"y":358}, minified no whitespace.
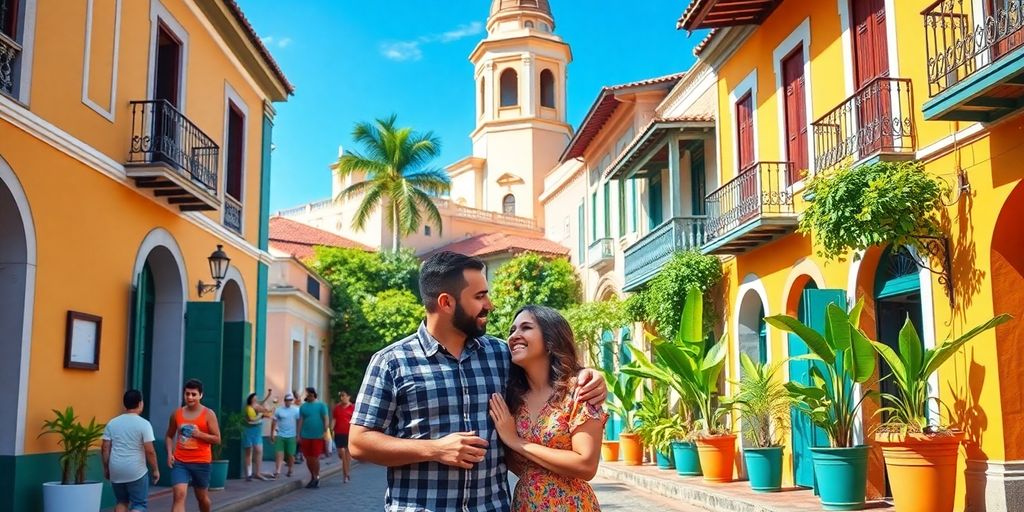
{"x":135,"y":141}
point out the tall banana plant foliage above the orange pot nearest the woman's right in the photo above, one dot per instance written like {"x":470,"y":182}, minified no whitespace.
{"x":690,"y":367}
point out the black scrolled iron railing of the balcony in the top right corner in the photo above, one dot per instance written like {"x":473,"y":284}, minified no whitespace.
{"x":964,"y":36}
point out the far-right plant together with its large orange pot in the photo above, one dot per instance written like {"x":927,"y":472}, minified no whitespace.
{"x":920,"y":455}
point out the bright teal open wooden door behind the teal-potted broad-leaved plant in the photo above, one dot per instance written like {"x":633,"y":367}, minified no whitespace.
{"x":805,"y":436}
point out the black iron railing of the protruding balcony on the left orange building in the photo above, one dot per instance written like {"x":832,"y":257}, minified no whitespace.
{"x":162,"y":135}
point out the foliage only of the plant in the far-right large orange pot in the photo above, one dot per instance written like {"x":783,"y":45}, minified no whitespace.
{"x":912,"y":368}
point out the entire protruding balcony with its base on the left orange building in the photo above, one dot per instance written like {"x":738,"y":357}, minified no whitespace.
{"x":173,"y":157}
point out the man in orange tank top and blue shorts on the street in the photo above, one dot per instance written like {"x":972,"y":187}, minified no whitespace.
{"x":193,"y":430}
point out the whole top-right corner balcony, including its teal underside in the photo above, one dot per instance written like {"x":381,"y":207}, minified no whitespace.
{"x":975,"y":57}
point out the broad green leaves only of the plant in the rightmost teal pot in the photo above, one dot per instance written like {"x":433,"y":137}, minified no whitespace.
{"x":846,"y":359}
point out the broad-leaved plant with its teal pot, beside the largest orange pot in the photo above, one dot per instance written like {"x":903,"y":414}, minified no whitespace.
{"x":842,"y":357}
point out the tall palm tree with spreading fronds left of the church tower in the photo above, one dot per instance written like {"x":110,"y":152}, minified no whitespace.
{"x":398,"y":177}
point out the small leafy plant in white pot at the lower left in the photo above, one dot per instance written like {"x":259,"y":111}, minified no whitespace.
{"x":76,"y":440}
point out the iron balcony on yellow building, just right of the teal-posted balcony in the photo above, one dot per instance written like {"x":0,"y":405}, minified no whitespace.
{"x":751,"y":210}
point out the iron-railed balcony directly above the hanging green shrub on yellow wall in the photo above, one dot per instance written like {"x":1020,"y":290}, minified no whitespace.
{"x":875,"y":122}
